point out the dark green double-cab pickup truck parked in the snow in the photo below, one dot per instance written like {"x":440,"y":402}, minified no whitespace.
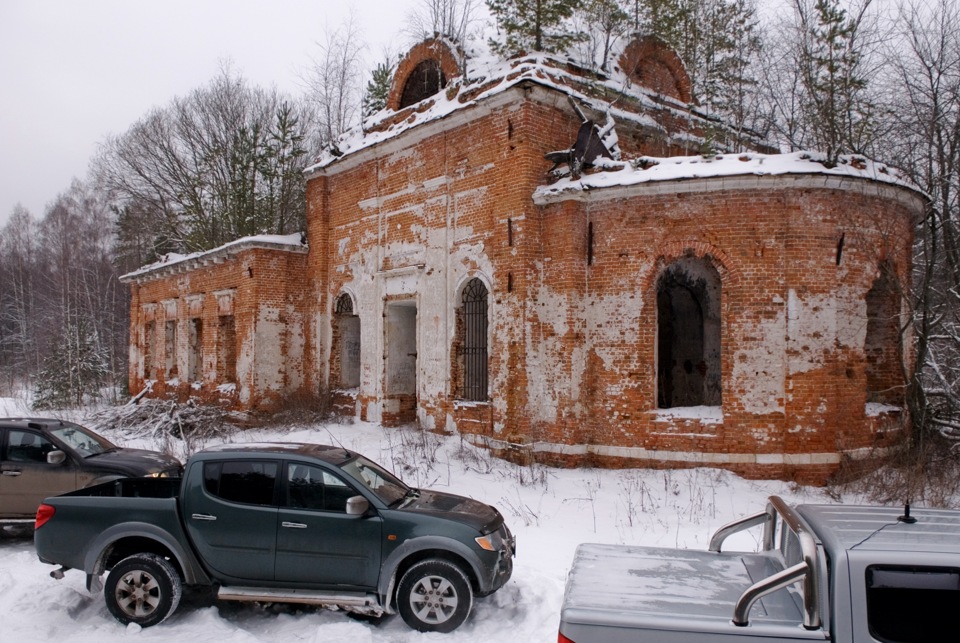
{"x":280,"y":522}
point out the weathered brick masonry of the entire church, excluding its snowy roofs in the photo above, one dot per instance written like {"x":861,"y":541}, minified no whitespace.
{"x":400,"y":228}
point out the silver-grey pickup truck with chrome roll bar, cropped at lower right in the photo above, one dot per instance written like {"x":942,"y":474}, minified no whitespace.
{"x":849,"y":574}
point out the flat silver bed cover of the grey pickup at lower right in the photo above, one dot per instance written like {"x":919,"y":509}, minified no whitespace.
{"x":633,"y":588}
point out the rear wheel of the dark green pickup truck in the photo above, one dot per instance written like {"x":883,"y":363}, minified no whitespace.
{"x":144,"y":589}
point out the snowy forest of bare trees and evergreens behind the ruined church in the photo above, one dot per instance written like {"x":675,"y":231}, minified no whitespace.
{"x":873,"y":77}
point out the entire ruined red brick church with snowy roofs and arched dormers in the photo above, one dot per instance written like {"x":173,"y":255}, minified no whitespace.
{"x":649,"y":304}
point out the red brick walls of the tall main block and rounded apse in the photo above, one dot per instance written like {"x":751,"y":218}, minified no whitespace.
{"x":572,"y":346}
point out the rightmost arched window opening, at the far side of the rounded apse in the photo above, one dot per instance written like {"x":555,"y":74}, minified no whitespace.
{"x":882,"y":346}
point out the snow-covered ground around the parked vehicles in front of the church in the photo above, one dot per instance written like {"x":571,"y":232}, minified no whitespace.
{"x":550,"y":511}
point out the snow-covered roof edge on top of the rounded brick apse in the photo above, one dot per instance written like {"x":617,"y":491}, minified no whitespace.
{"x":678,"y":168}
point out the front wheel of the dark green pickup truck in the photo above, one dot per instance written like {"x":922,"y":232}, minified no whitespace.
{"x":434,"y":596}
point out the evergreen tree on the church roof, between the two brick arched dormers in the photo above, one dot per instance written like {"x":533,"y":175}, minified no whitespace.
{"x":532,"y":25}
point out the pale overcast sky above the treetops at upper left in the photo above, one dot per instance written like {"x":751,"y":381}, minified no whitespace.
{"x":73,"y":71}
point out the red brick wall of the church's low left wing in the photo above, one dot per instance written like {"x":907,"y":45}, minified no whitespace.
{"x":260,"y":289}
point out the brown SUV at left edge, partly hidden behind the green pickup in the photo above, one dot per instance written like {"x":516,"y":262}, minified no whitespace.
{"x":46,"y":457}
